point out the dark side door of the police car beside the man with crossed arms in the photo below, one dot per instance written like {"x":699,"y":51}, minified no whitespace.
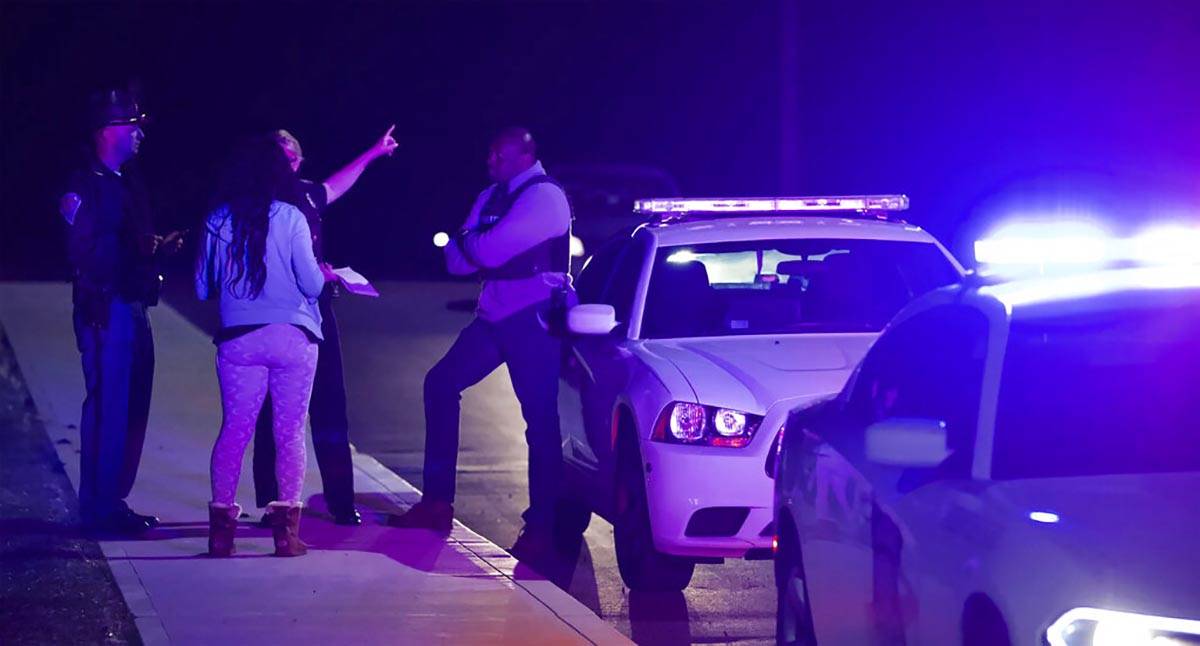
{"x":598,"y":368}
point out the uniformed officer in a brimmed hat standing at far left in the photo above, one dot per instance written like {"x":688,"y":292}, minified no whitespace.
{"x":113,"y":252}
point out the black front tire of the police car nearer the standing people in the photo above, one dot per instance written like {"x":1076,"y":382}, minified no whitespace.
{"x":643,"y":567}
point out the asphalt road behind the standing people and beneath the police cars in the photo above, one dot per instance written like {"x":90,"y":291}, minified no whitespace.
{"x":388,"y":345}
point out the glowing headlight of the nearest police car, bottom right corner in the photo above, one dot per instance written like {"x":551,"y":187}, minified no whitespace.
{"x":1099,"y":627}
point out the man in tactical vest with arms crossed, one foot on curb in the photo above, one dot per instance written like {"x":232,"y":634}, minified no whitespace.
{"x":517,"y":240}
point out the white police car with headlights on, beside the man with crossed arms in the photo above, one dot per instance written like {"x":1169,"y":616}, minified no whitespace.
{"x":695,"y":337}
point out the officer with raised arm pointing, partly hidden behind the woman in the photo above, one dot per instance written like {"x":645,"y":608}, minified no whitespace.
{"x":327,"y":410}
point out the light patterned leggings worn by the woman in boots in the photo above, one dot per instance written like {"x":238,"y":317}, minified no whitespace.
{"x":280,"y":358}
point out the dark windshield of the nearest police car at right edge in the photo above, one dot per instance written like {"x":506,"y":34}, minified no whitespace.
{"x":1089,"y":394}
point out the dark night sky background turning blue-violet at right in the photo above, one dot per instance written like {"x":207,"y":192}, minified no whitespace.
{"x":979,"y":111}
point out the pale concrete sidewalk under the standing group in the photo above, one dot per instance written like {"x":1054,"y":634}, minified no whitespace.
{"x":367,"y":585}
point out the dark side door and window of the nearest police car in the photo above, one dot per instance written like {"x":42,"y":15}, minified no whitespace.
{"x":856,"y":543}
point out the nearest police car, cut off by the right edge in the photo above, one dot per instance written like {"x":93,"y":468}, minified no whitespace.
{"x":1012,"y":464}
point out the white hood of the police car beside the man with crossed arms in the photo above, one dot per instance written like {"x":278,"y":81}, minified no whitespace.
{"x":752,"y":373}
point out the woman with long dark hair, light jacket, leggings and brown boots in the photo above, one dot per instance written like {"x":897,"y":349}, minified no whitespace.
{"x":257,"y":258}
